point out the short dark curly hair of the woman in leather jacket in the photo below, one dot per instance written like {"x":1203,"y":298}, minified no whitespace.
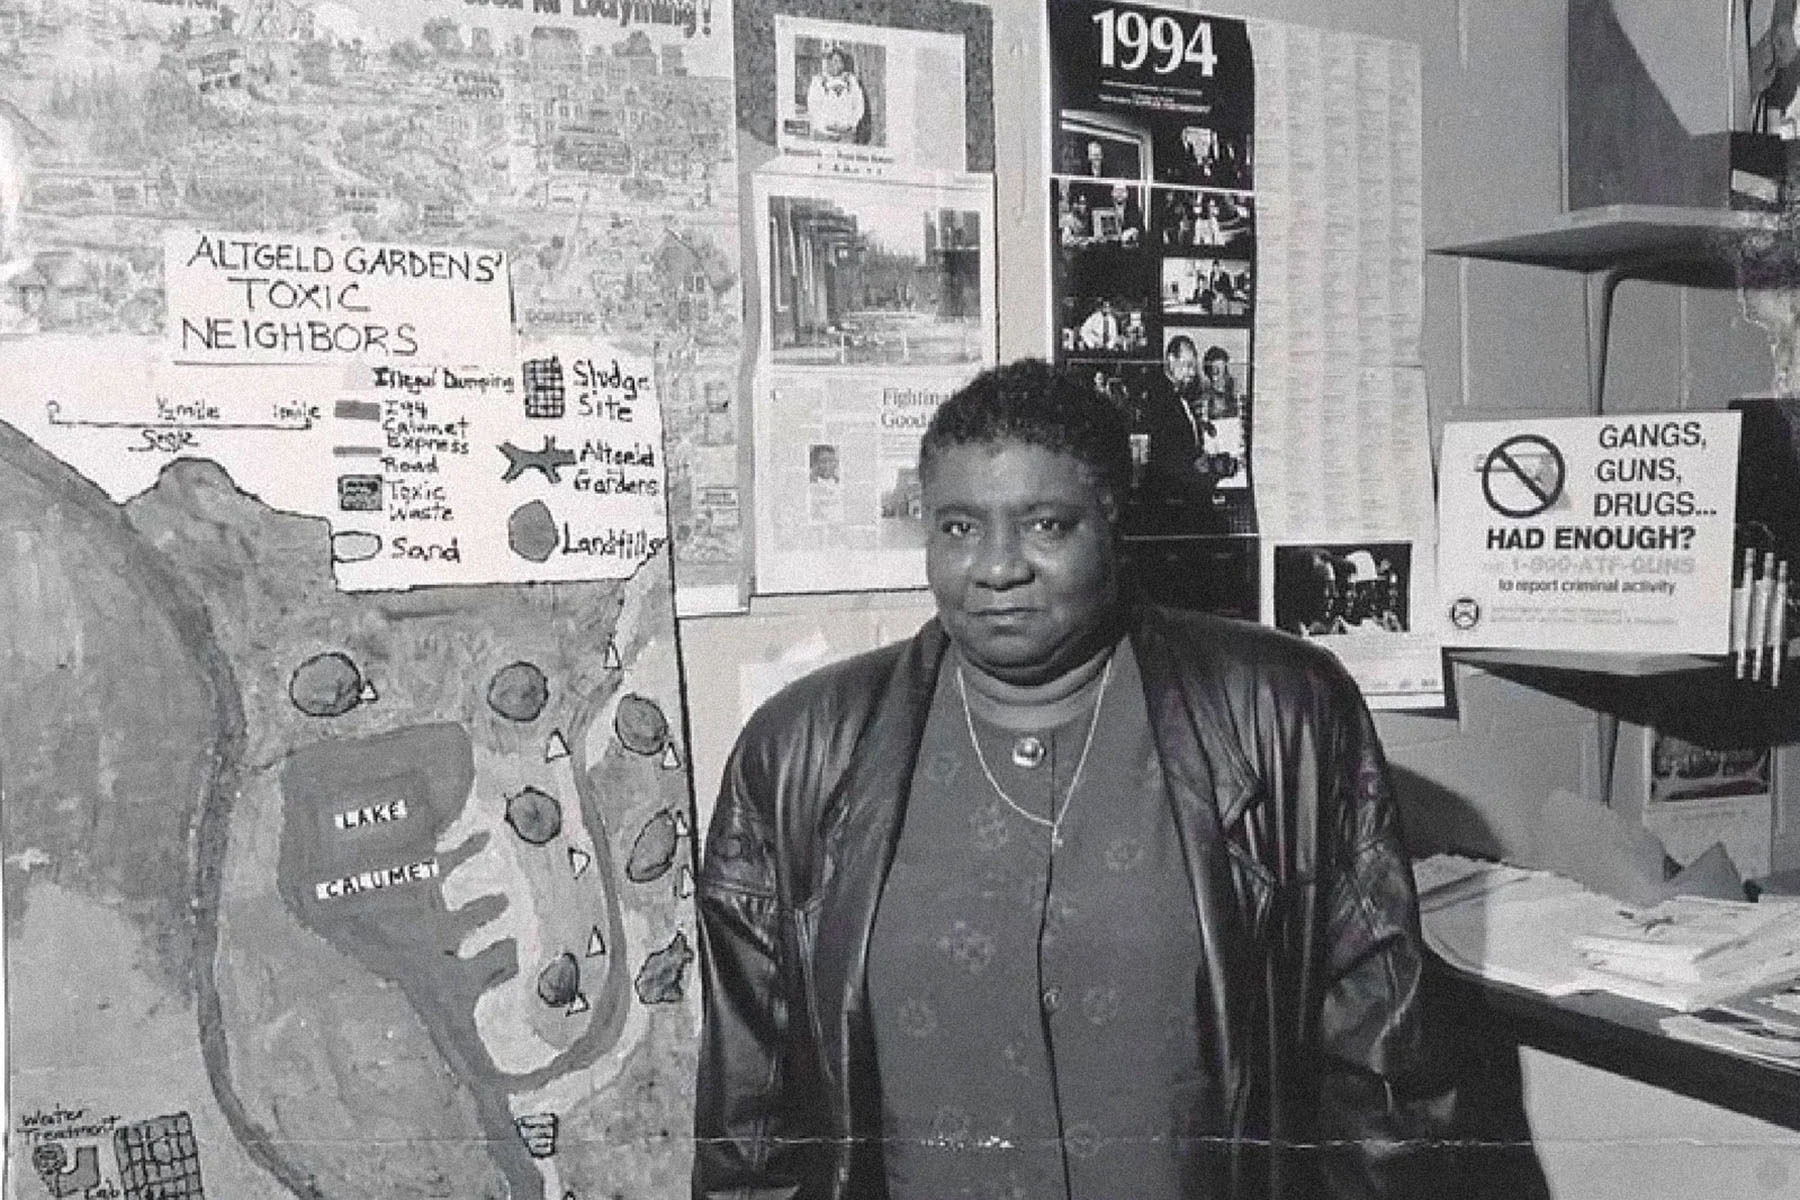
{"x":1036,"y":404}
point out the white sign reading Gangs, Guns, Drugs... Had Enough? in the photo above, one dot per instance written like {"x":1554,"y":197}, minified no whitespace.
{"x":1588,"y":533}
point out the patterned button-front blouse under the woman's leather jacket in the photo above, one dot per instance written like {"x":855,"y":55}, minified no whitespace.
{"x":1034,"y":1010}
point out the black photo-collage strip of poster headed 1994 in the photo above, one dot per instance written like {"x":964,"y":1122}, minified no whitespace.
{"x":1153,"y":298}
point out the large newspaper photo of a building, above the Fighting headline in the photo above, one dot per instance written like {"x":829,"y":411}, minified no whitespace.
{"x":865,"y":276}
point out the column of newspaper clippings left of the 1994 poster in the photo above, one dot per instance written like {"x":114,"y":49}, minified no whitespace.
{"x":874,"y":251}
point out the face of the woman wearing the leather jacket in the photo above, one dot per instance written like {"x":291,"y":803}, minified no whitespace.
{"x":1021,"y":559}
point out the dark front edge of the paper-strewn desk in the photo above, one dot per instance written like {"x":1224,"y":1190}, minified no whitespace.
{"x":1623,"y":1037}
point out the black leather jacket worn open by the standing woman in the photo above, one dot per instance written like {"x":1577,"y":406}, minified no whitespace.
{"x":1311,"y":985}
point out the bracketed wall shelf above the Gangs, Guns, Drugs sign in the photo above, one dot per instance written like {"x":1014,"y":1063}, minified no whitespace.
{"x":1662,"y":238}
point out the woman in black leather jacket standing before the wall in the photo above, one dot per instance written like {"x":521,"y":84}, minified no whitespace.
{"x":1066,"y":897}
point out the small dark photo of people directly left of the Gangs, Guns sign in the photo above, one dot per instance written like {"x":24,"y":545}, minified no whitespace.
{"x":1326,"y":591}
